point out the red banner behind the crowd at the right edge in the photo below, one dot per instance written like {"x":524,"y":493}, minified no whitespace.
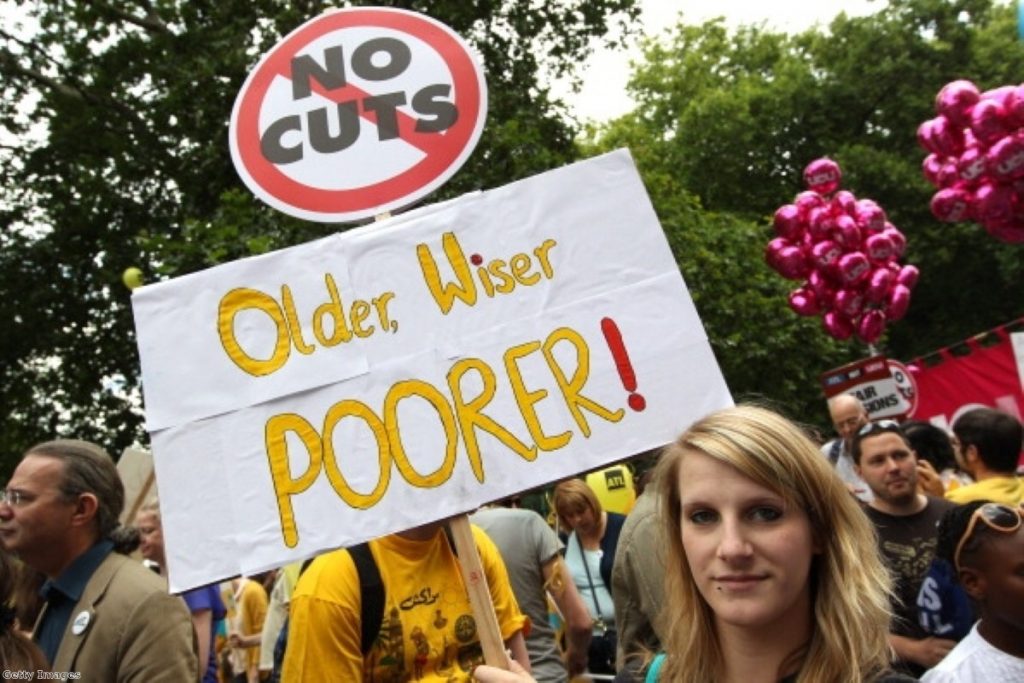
{"x":984,"y":371}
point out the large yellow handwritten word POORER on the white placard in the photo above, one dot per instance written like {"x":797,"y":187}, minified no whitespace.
{"x":461,"y":418}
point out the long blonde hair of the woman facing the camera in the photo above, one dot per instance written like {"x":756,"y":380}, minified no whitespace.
{"x":850,"y":587}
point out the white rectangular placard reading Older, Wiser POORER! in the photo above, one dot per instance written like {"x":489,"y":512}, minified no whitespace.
{"x":520,"y":336}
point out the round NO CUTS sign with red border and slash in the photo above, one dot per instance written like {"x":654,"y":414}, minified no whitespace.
{"x":358,"y":112}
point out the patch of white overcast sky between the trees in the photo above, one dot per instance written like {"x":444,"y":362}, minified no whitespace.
{"x":604,"y":95}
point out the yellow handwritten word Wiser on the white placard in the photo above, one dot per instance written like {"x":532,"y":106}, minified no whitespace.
{"x":496,"y":277}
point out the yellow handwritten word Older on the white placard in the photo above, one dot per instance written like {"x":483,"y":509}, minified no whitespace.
{"x":332,"y":324}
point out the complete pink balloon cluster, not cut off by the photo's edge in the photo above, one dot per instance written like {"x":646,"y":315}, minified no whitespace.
{"x":848,"y":254}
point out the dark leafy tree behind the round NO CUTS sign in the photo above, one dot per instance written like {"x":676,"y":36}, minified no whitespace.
{"x":114,"y":153}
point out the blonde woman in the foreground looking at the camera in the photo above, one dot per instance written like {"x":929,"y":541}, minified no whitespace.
{"x":778,"y":575}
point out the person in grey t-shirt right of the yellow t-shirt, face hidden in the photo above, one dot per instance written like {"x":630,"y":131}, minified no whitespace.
{"x":533,"y":557}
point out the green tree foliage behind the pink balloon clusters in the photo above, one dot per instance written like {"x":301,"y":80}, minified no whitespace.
{"x":724,"y":123}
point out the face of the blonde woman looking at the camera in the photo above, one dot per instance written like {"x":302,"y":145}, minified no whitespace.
{"x":749,"y":551}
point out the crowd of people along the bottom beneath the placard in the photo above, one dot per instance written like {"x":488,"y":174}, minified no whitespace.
{"x":894,"y":552}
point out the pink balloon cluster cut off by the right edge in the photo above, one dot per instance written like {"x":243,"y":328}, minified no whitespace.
{"x":976,"y":159}
